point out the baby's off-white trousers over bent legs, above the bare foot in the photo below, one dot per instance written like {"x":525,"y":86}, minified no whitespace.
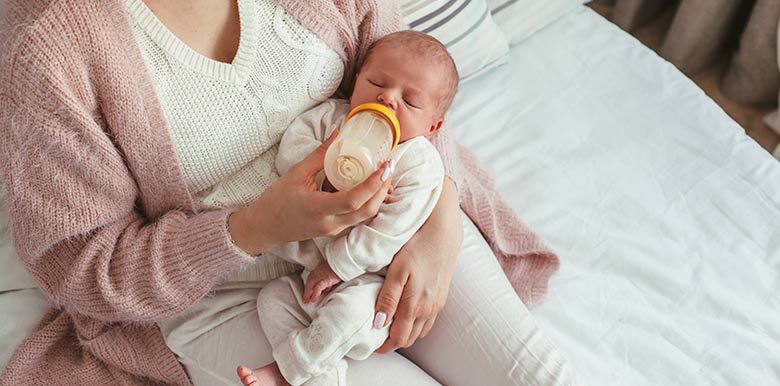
{"x":312,"y":339}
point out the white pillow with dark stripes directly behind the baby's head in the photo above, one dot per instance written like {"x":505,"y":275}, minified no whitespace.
{"x":464,"y":26}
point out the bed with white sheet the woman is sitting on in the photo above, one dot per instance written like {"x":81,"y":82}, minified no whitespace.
{"x":666,"y":216}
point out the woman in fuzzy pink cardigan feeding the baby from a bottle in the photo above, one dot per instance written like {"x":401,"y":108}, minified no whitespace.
{"x":115,"y":133}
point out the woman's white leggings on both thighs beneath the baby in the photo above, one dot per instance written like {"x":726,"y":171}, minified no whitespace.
{"x":483,"y":336}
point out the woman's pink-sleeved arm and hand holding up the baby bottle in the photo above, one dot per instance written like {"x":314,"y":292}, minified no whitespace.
{"x":78,"y":221}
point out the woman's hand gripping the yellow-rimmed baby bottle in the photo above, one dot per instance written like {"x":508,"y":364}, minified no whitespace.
{"x":293,"y":209}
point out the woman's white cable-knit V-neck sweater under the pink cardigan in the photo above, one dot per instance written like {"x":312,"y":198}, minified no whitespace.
{"x":222,"y":116}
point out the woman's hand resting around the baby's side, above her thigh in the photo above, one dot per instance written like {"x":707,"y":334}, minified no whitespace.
{"x":418,"y":279}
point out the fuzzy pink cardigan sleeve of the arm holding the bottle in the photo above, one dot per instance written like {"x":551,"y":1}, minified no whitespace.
{"x":75,"y":212}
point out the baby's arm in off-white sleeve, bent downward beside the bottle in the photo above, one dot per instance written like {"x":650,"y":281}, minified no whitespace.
{"x":417,"y":183}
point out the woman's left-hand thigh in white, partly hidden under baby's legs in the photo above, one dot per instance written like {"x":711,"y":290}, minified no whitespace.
{"x":224,"y":330}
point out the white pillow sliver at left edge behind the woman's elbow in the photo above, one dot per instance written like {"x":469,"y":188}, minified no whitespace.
{"x":13,"y":275}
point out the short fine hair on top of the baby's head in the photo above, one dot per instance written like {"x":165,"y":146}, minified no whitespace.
{"x":431,"y":48}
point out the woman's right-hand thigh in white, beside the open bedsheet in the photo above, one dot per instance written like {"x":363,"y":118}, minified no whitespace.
{"x":485,"y":334}
